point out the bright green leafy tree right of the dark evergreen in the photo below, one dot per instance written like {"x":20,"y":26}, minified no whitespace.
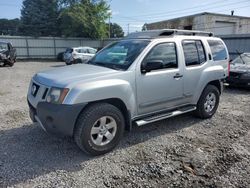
{"x":84,"y":19}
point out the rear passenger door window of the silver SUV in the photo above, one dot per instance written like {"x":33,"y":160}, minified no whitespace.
{"x":194,"y":52}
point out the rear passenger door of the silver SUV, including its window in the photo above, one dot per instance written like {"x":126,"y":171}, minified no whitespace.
{"x":195,"y":62}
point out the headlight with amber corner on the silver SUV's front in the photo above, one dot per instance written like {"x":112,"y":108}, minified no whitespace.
{"x":57,"y":95}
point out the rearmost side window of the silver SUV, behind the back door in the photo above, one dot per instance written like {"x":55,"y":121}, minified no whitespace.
{"x":218,"y":50}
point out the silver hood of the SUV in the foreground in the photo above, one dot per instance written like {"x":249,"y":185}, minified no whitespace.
{"x":62,"y":76}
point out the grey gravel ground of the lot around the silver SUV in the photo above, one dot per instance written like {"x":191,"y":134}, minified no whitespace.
{"x":178,"y":152}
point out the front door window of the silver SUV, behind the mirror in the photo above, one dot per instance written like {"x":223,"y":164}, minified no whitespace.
{"x":166,"y":53}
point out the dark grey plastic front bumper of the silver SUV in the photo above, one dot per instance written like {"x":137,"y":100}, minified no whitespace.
{"x":57,"y":119}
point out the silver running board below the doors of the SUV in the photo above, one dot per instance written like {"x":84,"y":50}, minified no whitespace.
{"x":159,"y":117}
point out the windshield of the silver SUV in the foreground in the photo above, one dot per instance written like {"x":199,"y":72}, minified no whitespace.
{"x":120,"y":55}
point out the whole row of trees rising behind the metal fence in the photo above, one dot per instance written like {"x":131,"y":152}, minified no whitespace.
{"x":68,"y":18}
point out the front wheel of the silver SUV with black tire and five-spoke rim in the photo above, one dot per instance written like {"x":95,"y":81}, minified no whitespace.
{"x":90,"y":121}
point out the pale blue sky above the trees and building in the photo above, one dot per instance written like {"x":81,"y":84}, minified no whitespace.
{"x":132,"y":14}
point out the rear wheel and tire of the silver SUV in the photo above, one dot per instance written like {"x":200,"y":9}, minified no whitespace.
{"x":208,"y":102}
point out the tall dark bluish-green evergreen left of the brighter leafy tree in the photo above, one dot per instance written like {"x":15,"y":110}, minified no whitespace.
{"x":39,"y":18}
